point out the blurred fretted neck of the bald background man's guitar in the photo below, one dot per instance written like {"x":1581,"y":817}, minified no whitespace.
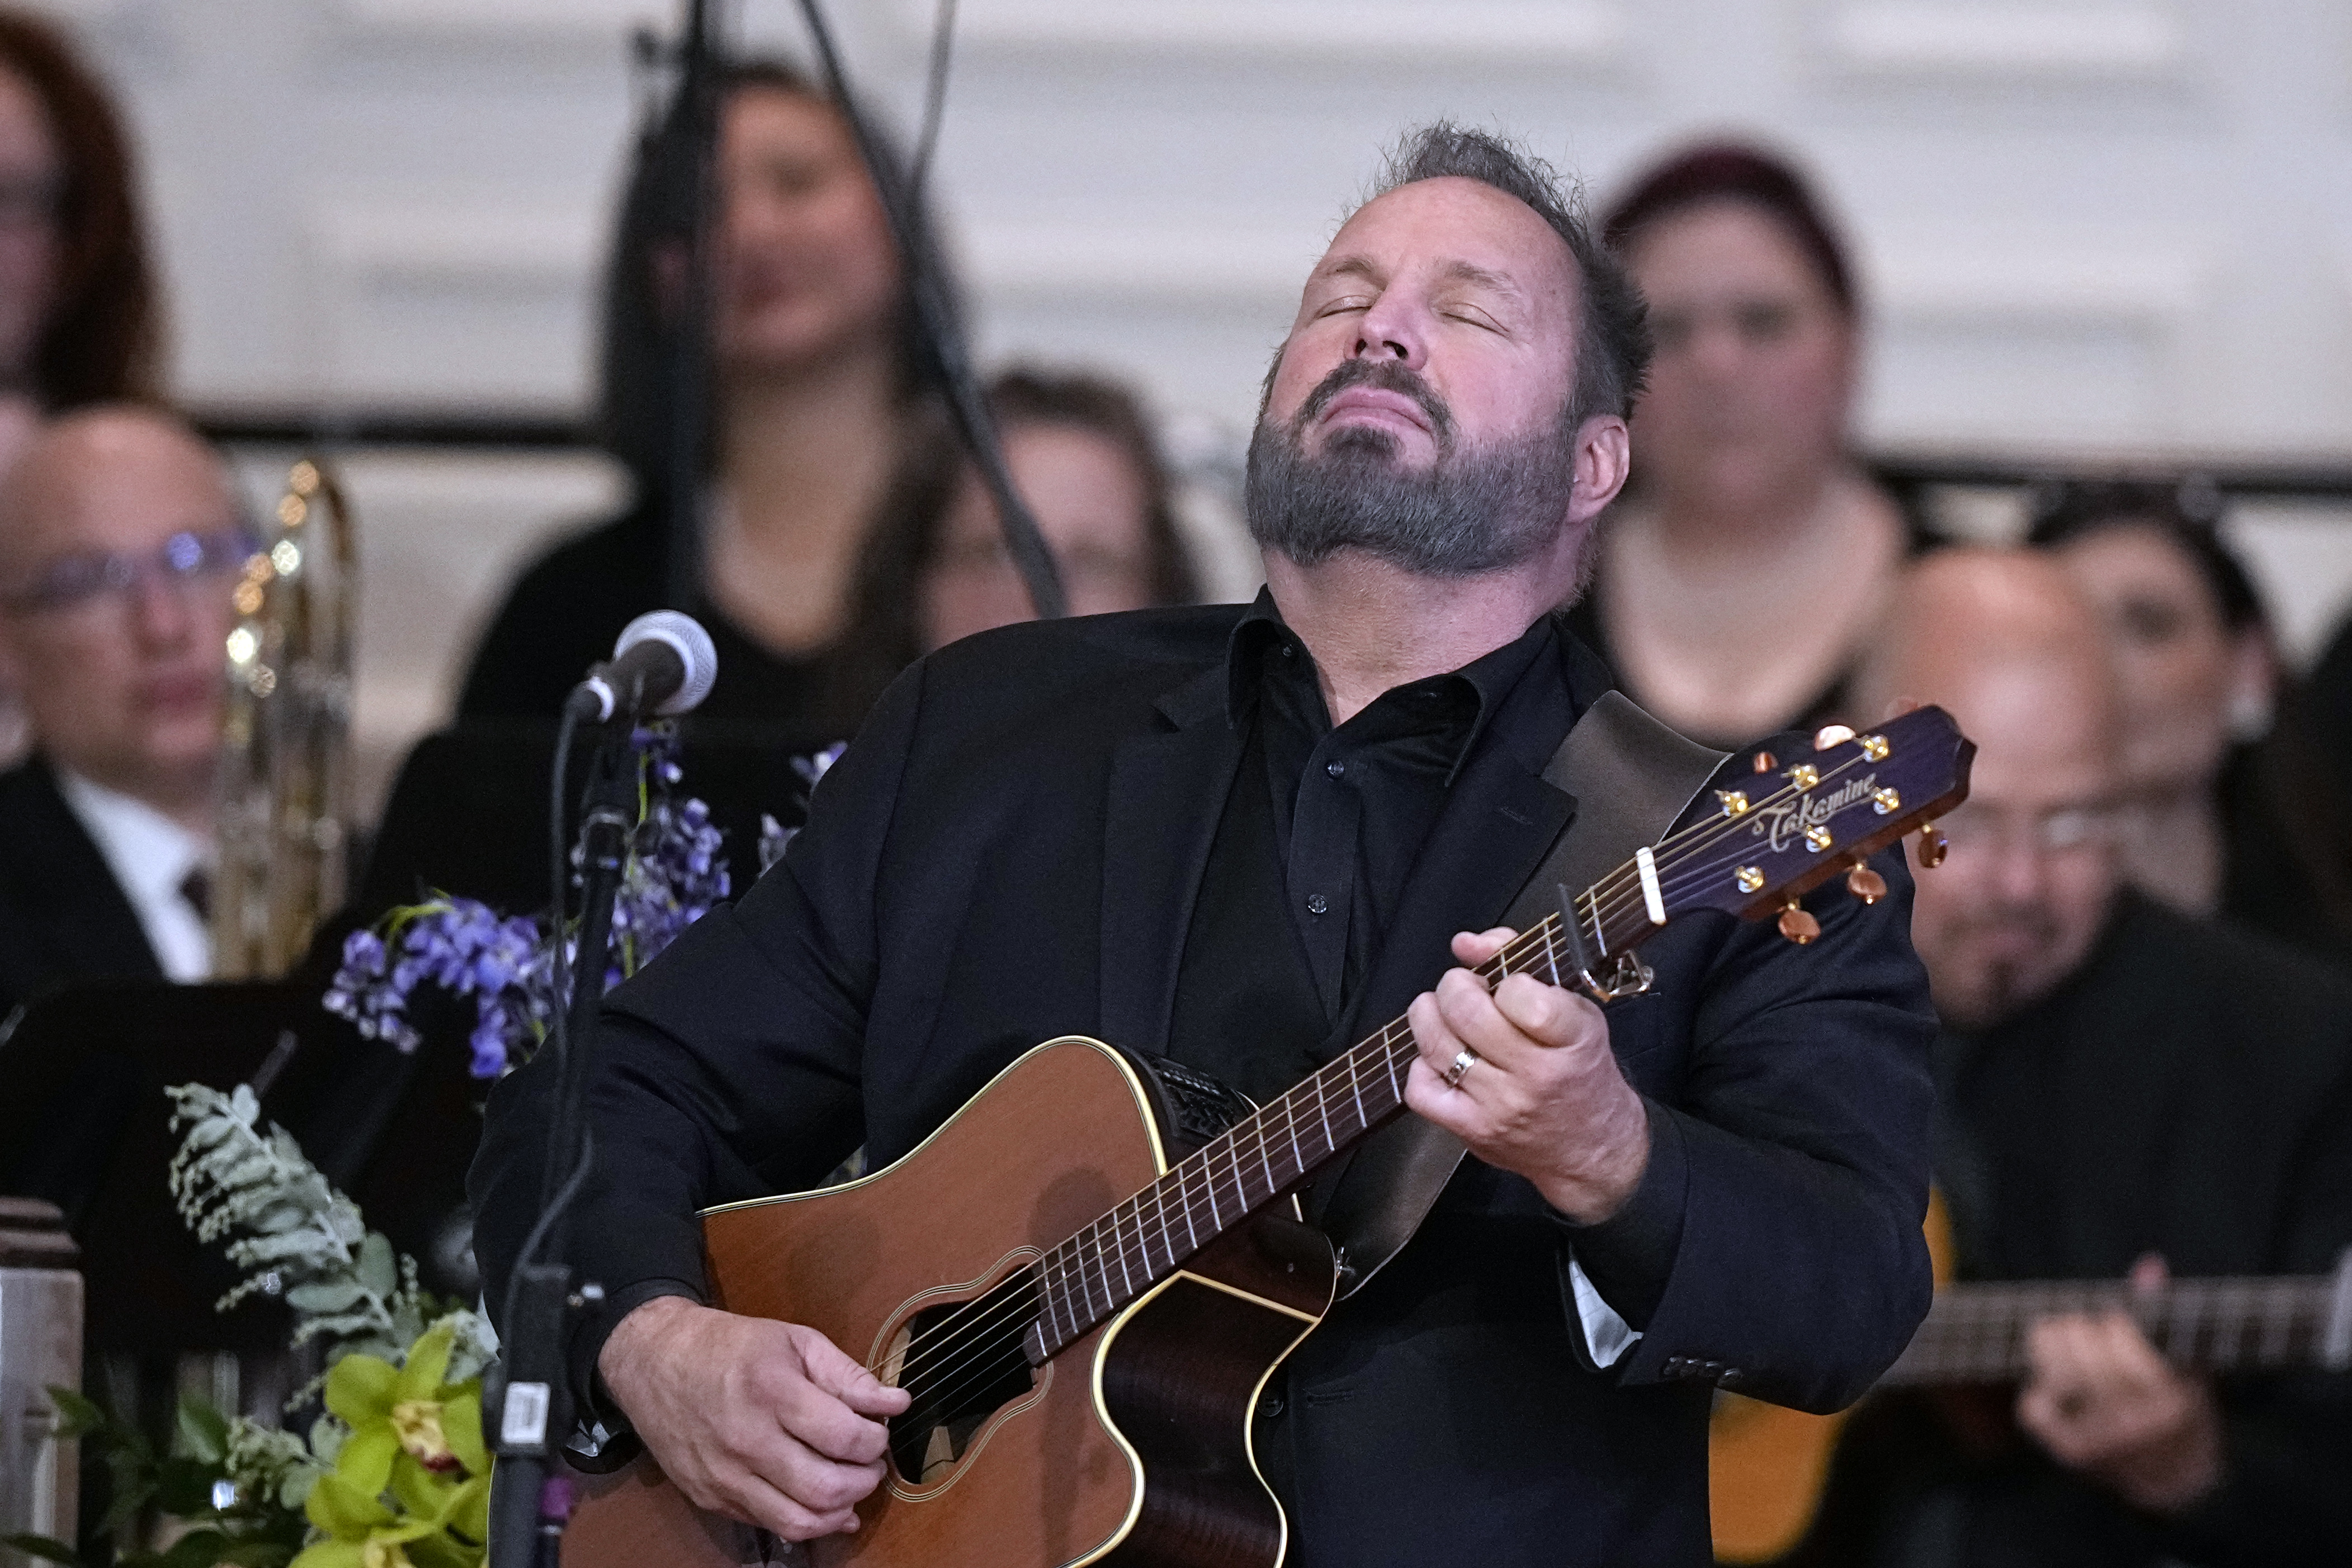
{"x":1977,"y":1334}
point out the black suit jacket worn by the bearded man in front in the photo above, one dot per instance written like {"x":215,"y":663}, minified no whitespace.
{"x":1010,"y":852}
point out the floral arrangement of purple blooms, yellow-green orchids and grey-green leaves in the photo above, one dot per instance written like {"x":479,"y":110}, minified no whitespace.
{"x":394,"y":1473}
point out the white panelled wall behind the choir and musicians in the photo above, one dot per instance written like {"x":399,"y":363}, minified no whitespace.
{"x":2087,"y":225}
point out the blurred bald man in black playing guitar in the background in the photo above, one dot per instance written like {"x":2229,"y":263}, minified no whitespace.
{"x":2120,"y":1092}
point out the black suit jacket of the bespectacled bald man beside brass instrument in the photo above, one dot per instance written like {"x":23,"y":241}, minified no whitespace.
{"x":62,"y":916}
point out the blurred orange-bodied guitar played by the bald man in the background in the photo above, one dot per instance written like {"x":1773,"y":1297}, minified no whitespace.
{"x":1768,"y":1468}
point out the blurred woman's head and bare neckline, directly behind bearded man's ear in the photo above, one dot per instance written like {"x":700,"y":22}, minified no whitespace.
{"x":1751,"y":554}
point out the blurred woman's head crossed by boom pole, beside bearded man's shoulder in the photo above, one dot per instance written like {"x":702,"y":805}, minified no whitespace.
{"x":1090,"y":469}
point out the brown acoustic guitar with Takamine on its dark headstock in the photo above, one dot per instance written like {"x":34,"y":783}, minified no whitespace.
{"x":1093,"y":1268}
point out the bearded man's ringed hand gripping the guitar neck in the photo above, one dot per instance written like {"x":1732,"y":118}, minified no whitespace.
{"x":1528,"y":1080}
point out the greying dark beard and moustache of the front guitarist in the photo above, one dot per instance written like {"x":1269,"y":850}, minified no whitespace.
{"x":1471,"y":511}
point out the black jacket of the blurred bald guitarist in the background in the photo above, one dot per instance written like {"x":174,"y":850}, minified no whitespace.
{"x":2189,"y":1092}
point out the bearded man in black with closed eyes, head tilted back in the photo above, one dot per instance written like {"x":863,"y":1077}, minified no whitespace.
{"x":1243,"y":838}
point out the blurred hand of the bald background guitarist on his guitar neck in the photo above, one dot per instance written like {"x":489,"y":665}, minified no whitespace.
{"x":2109,"y":1405}
